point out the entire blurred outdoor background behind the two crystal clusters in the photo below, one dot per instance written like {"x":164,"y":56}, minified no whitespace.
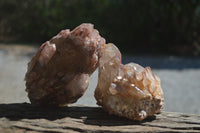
{"x":164,"y":35}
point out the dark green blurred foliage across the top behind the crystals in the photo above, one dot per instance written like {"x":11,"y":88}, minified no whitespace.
{"x":169,"y":27}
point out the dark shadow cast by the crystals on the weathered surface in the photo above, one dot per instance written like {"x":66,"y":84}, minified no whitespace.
{"x":89,"y":115}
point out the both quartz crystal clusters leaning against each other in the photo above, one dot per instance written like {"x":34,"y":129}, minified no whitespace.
{"x":58,"y":74}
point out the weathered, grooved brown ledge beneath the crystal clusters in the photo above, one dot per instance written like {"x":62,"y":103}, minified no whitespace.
{"x":27,"y":118}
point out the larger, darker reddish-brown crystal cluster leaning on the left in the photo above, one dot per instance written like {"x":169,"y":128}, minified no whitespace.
{"x":58,"y":73}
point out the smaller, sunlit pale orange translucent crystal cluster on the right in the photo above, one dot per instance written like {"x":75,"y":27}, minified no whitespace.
{"x":127,"y":90}
